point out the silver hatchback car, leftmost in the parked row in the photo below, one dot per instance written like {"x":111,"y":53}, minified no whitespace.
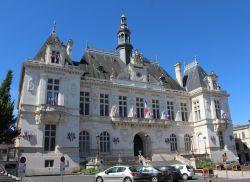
{"x":117,"y":173}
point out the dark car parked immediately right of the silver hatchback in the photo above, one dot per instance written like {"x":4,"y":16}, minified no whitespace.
{"x":151,"y":174}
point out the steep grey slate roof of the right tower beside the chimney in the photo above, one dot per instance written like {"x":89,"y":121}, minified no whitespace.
{"x":194,"y":77}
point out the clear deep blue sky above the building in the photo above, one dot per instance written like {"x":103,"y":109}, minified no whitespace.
{"x":217,"y":32}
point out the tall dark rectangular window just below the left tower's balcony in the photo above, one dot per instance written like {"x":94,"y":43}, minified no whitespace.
{"x":50,"y":137}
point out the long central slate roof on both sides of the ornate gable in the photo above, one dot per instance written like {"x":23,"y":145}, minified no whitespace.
{"x":103,"y":65}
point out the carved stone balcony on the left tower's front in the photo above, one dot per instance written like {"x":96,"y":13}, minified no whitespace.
{"x":49,"y":113}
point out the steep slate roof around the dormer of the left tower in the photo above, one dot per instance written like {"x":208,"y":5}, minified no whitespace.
{"x":52,"y":40}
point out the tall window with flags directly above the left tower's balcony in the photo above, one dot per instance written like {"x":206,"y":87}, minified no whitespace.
{"x":52,"y":91}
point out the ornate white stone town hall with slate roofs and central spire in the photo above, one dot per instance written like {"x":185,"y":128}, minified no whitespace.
{"x":111,"y":104}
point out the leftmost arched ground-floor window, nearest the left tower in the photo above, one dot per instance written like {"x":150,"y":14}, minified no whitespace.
{"x":83,"y":143}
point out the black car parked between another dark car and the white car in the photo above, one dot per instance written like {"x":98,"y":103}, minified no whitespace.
{"x":173,"y":174}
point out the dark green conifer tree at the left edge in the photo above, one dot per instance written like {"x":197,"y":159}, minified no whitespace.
{"x":8,"y":130}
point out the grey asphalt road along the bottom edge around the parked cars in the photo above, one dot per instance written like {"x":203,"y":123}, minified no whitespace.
{"x":82,"y":178}
